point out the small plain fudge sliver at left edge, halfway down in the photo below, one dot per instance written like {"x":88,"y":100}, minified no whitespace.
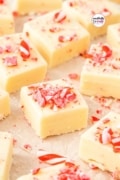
{"x":4,"y":104}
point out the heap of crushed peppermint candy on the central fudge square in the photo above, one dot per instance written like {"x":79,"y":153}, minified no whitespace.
{"x":52,"y":96}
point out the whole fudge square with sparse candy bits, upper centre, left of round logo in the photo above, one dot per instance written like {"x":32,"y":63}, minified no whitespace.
{"x":57,"y":37}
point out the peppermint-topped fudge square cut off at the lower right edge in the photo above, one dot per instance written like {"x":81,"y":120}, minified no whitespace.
{"x":100,"y":144}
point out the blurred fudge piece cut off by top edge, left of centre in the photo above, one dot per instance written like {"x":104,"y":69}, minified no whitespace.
{"x":28,"y":6}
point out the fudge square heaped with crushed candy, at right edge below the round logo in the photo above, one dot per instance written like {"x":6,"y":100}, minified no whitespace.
{"x":100,"y":75}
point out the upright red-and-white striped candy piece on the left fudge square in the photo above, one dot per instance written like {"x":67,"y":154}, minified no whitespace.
{"x":24,"y":50}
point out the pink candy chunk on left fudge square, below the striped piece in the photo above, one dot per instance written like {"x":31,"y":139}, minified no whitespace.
{"x":10,"y":61}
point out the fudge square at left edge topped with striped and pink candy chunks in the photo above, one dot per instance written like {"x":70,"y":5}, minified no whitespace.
{"x":20,"y":64}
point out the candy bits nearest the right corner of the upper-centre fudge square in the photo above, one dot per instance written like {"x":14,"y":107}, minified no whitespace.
{"x":67,"y":38}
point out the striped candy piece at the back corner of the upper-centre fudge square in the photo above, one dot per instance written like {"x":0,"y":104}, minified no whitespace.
{"x":59,"y":17}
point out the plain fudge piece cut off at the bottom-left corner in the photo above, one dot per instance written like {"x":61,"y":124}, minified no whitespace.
{"x":6,"y":151}
